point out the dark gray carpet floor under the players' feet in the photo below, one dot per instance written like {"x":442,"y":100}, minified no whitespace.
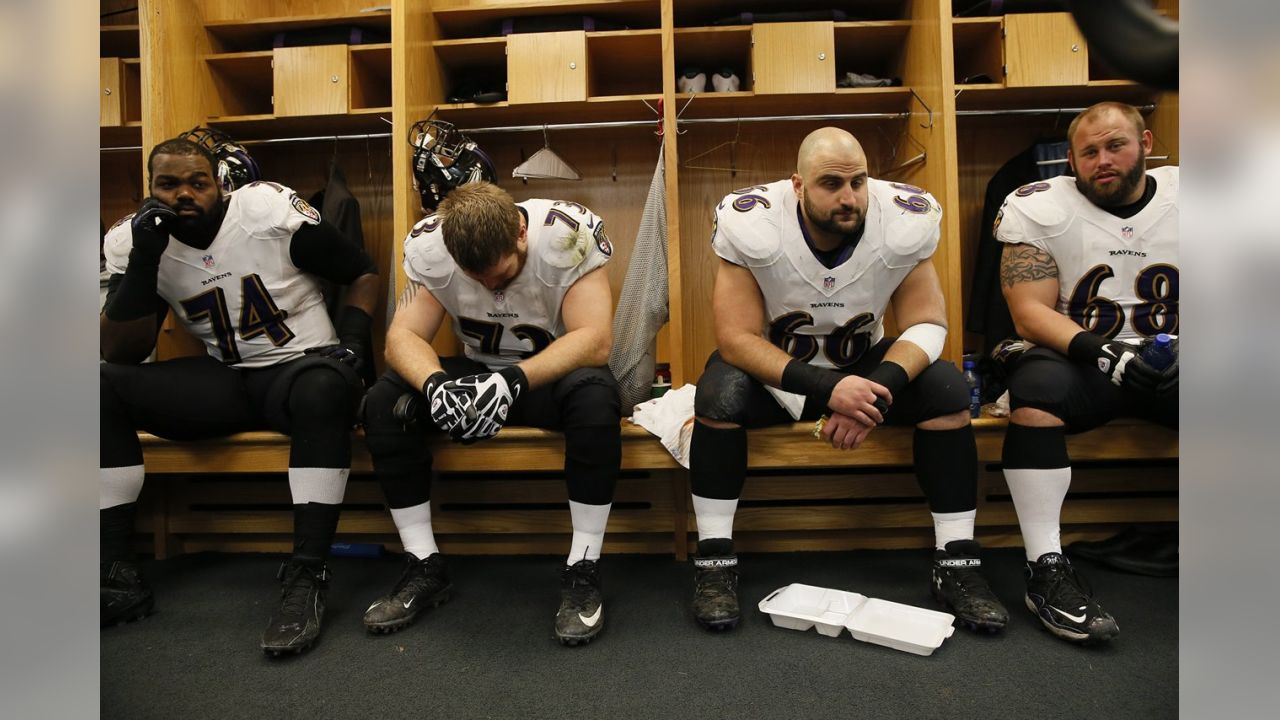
{"x":491,"y":653}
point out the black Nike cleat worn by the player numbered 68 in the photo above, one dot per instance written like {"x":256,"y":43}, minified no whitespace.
{"x":1064,"y":604}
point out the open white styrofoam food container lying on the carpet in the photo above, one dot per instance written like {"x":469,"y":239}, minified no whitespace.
{"x":892,"y":625}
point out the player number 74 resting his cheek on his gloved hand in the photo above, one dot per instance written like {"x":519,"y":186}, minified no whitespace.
{"x":239,"y":271}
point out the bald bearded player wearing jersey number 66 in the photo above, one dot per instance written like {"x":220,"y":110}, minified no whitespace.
{"x":808,"y":268}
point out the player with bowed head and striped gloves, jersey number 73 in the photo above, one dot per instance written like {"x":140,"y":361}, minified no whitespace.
{"x":528,"y":294}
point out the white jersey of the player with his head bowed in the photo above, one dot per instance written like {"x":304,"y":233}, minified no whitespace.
{"x":566,"y":241}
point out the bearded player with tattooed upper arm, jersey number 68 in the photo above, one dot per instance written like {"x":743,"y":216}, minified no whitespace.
{"x":1091,"y":276}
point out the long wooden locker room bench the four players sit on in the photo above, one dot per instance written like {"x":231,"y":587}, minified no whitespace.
{"x":508,"y":496}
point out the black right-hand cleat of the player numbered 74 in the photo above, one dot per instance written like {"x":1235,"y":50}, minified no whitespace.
{"x":296,"y":623}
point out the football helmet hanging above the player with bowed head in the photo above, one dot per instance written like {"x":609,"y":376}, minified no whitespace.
{"x":444,"y":160}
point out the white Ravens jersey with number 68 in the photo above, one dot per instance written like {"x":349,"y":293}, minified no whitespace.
{"x":1118,"y":277}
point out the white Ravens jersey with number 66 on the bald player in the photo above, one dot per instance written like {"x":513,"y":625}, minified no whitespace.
{"x":828,"y":317}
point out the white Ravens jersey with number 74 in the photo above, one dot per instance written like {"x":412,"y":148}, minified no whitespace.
{"x":243,"y":297}
